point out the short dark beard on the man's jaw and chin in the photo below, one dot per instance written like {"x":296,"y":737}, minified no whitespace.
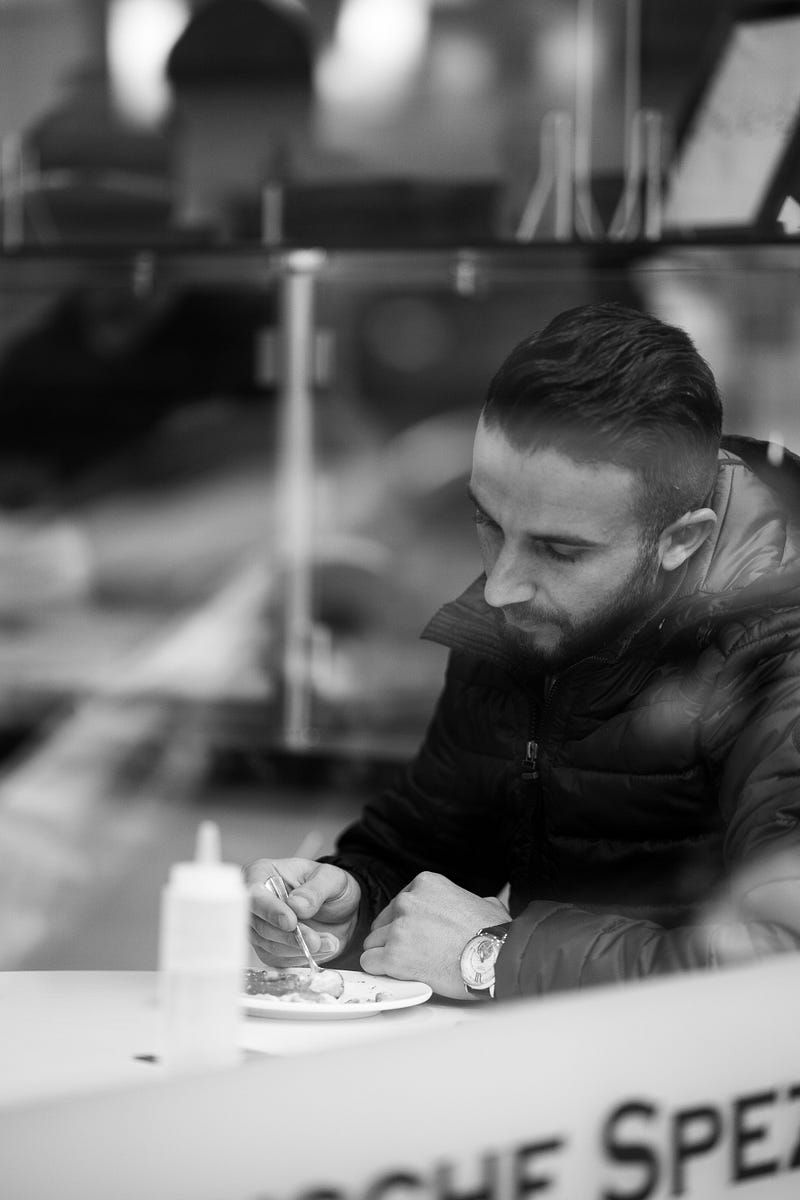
{"x":622,"y":614}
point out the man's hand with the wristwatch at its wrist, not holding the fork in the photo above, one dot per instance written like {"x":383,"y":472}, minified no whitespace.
{"x":420,"y":935}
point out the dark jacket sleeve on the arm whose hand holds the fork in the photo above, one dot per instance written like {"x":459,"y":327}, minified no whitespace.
{"x":441,"y":815}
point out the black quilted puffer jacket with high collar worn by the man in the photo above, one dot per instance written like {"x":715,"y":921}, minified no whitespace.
{"x":636,"y":803}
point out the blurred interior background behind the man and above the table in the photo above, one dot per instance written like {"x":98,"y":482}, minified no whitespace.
{"x":258,"y":265}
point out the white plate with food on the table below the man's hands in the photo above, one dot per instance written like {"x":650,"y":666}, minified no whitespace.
{"x":359,"y":1000}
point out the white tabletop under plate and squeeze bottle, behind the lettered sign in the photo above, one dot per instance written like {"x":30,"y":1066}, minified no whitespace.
{"x":70,"y":1033}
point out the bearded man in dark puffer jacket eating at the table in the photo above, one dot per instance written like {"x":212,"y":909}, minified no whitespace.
{"x":618,"y":739}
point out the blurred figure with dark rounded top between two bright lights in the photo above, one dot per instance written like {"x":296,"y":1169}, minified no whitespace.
{"x":242,"y":76}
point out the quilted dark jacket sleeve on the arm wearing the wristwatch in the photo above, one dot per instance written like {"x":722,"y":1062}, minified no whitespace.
{"x":751,"y":740}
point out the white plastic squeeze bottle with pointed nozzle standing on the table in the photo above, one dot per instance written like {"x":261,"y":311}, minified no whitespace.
{"x":202,"y":956}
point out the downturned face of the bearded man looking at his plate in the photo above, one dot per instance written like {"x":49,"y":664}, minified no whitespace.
{"x":567,"y":565}
